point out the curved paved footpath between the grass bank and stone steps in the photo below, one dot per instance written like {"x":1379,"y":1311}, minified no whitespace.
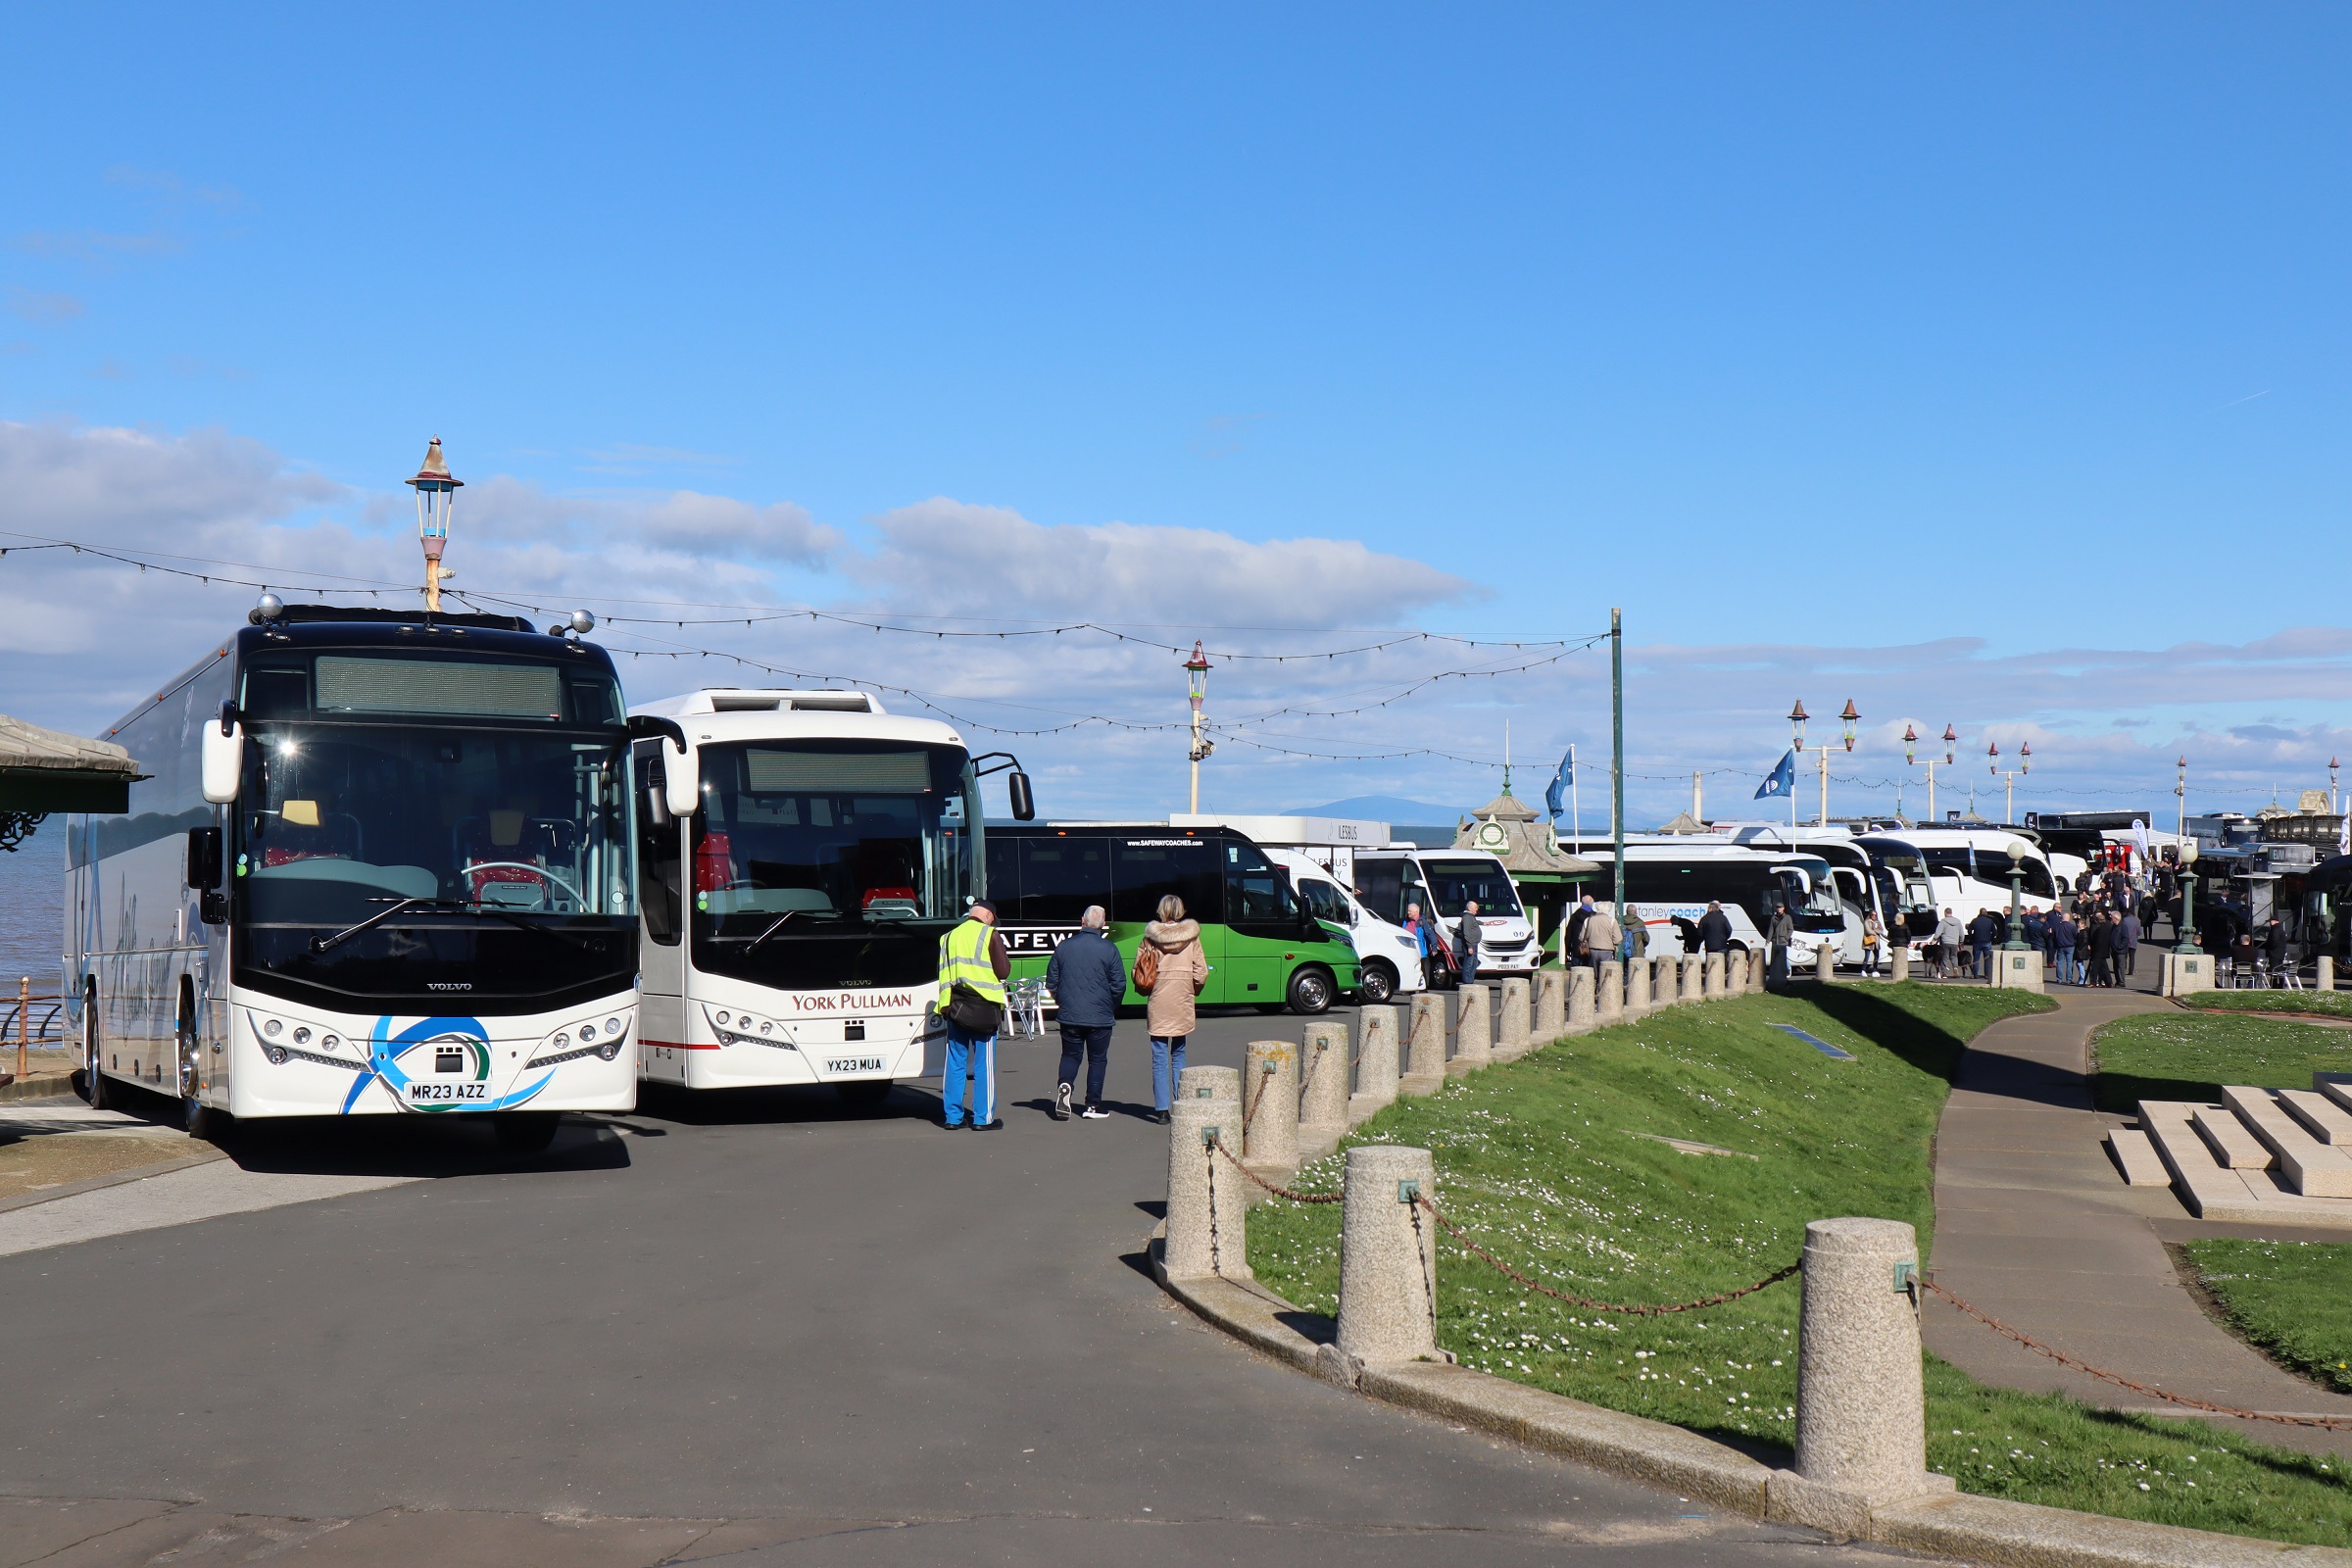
{"x":2036,"y":1228}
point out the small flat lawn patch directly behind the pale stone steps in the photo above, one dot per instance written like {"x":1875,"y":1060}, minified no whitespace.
{"x":2189,"y":1057}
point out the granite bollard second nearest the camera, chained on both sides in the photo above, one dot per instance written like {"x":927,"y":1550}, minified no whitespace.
{"x":1387,"y":1259}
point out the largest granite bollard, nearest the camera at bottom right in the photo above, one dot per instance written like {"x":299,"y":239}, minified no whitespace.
{"x":1862,"y":1426}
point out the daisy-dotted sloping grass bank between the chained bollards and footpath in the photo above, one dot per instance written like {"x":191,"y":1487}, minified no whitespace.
{"x":1544,"y":1165}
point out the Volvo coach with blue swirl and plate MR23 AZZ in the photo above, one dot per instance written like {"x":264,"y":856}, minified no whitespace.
{"x":380,"y":864}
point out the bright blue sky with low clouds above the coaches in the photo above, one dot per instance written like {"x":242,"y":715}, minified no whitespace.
{"x":1970,"y":361}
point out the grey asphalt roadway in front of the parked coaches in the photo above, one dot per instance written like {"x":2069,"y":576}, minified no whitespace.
{"x":754,"y":1329}
